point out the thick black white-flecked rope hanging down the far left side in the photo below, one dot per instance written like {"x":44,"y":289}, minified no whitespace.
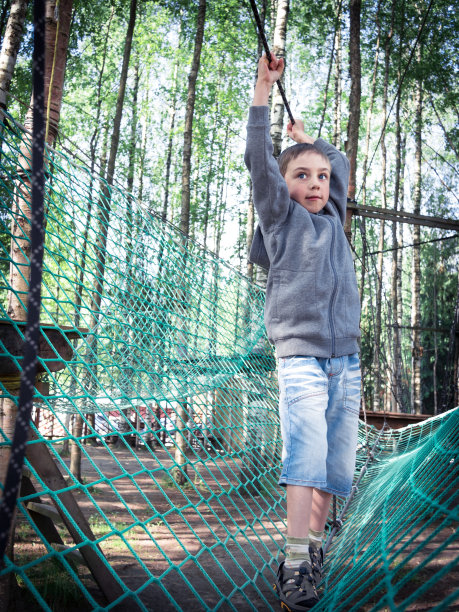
{"x":26,"y":391}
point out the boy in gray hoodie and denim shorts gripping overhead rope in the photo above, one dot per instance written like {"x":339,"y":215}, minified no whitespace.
{"x":312,"y":316}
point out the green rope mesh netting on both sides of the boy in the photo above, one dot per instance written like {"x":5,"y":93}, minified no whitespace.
{"x":157,"y":347}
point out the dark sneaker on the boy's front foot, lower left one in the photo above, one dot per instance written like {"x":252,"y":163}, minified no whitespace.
{"x":296,"y":588}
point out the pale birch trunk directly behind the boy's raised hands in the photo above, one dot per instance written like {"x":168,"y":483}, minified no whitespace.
{"x":279,"y":43}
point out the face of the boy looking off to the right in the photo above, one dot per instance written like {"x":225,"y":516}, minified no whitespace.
{"x":308,"y":180}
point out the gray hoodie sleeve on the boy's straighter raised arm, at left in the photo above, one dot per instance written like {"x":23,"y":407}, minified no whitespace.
{"x":270,"y":193}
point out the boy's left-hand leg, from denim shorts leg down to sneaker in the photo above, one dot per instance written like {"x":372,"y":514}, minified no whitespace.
{"x":303,"y":402}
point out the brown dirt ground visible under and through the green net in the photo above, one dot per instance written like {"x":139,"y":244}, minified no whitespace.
{"x":207,"y":547}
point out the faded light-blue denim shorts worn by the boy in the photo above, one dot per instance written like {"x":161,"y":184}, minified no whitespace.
{"x":319,"y":405}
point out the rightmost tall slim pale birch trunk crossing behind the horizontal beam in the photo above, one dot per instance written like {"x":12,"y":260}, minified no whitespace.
{"x":416,"y":349}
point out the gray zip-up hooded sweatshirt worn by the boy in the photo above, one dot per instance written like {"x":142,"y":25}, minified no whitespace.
{"x":312,"y":301}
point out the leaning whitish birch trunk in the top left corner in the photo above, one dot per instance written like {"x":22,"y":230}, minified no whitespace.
{"x":10,"y":47}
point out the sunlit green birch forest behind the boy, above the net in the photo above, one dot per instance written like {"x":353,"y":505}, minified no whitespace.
{"x":377,"y":78}
